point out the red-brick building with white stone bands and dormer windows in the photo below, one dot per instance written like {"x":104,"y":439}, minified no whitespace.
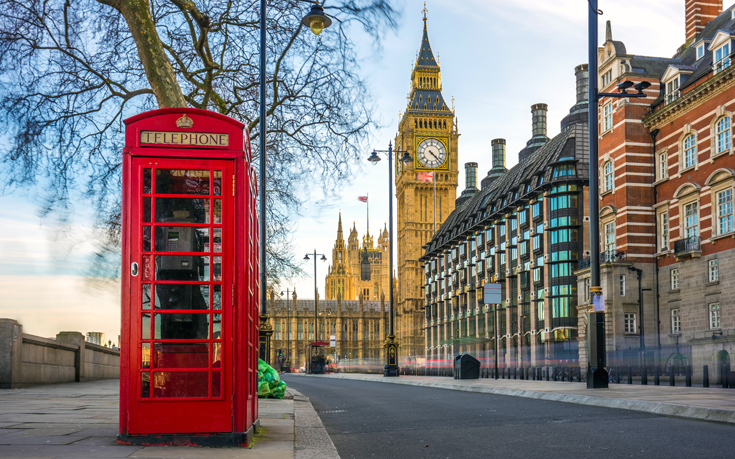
{"x":667,"y":172}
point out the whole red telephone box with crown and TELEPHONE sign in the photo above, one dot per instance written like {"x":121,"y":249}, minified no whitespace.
{"x":189,"y":281}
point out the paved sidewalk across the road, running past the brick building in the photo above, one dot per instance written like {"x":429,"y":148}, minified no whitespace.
{"x":709,"y":404}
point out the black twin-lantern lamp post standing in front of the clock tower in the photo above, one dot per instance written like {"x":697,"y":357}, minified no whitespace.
{"x":391,"y":345}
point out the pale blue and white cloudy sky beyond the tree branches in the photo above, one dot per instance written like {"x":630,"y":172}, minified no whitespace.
{"x":497,"y":57}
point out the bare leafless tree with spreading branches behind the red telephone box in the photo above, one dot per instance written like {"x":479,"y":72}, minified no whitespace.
{"x":71,"y":71}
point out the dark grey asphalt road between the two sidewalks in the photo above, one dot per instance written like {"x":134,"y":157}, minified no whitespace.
{"x":374,"y":420}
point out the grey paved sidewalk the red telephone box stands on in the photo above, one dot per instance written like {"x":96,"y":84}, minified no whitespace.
{"x":80,"y":420}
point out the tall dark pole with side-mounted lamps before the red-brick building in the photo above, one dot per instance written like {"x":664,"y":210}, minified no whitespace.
{"x":597,"y":377}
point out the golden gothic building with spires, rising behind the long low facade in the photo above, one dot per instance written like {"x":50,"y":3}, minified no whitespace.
{"x":345,"y":280}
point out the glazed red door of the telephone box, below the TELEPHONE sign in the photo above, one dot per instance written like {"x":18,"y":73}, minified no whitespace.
{"x":181,"y":287}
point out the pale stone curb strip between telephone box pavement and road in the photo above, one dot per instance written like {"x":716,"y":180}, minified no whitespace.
{"x":311,"y":440}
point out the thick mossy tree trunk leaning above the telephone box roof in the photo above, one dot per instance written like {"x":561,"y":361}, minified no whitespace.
{"x":155,"y":61}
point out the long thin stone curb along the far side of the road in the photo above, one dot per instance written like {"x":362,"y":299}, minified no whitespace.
{"x":658,"y":408}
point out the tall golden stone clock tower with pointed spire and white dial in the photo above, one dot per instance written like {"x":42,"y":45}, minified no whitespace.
{"x":428,"y":130}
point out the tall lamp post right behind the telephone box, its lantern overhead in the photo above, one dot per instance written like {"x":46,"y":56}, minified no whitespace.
{"x":317,"y":21}
